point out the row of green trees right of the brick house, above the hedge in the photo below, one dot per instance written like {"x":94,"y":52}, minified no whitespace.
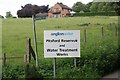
{"x":96,"y":7}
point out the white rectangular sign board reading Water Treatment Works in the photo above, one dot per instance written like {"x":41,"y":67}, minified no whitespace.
{"x":61,"y":43}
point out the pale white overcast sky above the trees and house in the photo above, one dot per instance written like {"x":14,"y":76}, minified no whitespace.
{"x":14,"y":5}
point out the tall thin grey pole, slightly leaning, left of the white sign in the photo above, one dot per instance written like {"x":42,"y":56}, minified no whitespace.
{"x":35,"y":41}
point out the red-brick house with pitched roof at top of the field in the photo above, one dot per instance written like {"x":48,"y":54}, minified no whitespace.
{"x":59,"y":10}
